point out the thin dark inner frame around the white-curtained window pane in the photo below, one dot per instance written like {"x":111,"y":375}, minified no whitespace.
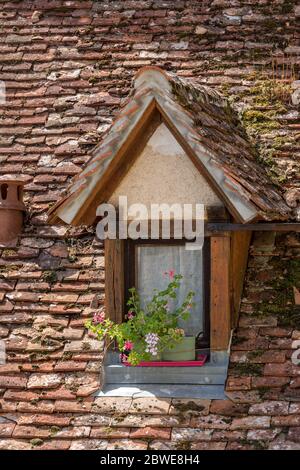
{"x":130,"y":277}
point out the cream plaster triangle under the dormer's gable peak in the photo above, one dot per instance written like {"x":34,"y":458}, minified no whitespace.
{"x":163,"y":173}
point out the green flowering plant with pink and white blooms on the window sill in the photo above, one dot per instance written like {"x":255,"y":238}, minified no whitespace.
{"x":150,"y":332}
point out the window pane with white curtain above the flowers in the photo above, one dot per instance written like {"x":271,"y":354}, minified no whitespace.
{"x":154,"y":260}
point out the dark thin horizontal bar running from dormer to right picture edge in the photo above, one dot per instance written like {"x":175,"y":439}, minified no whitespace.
{"x":259,"y":227}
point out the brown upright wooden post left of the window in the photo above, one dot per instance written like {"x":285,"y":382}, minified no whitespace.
{"x":114,"y":279}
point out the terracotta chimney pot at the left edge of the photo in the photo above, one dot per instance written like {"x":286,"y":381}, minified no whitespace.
{"x":12,"y":208}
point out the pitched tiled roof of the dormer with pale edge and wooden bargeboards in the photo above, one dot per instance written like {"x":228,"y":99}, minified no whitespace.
{"x":208,"y":129}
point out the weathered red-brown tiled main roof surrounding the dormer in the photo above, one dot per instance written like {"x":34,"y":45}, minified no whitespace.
{"x":66,"y":66}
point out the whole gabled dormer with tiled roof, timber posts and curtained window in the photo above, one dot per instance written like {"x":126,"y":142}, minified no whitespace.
{"x":175,"y":143}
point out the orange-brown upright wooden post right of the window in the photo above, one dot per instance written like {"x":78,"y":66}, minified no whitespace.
{"x":220,"y":326}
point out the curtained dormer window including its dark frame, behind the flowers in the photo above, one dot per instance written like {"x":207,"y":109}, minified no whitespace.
{"x":147,"y":265}
